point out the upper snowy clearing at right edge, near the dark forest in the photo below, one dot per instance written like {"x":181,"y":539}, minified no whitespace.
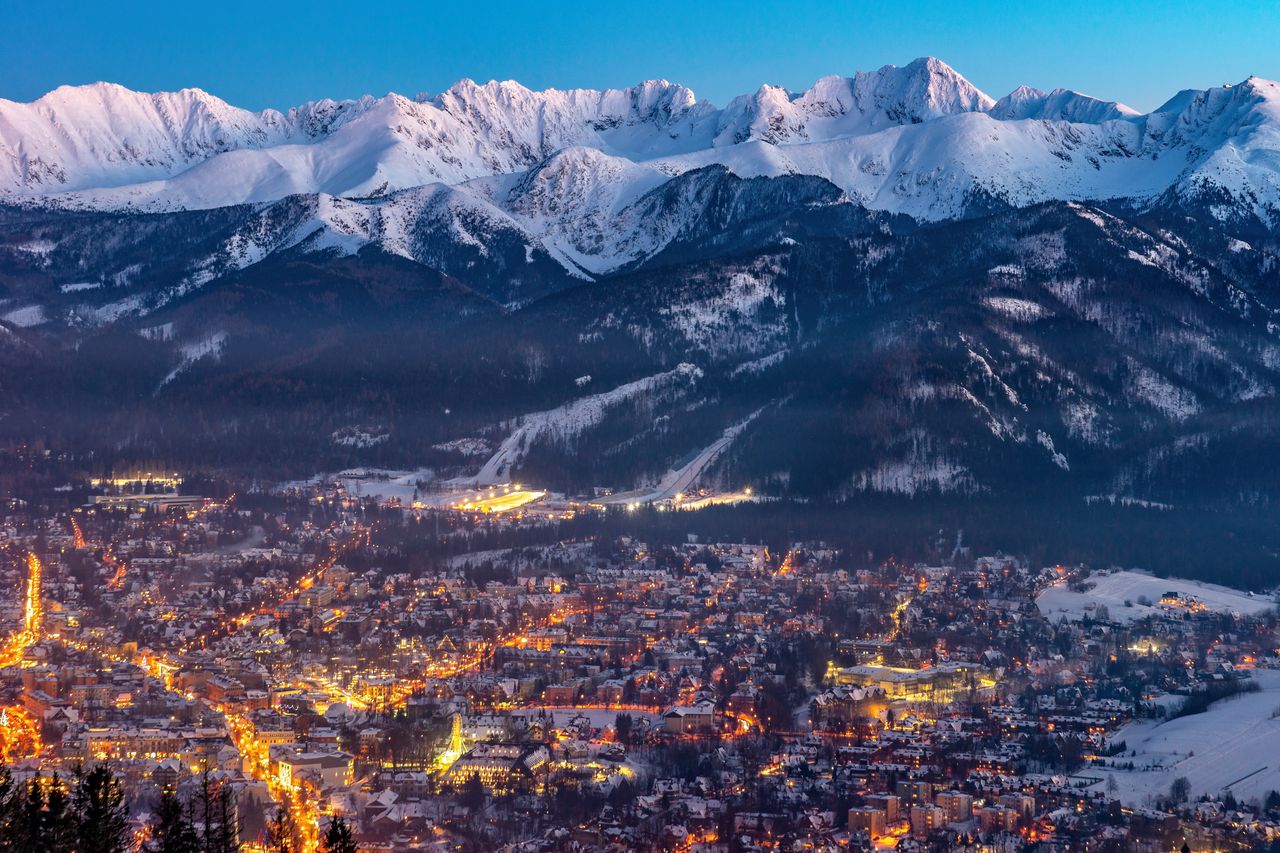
{"x":1119,"y":587}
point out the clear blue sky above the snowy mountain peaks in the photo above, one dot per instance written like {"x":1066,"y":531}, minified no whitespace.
{"x":278,"y":54}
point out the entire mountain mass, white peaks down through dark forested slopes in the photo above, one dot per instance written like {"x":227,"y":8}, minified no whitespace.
{"x":847,"y":297}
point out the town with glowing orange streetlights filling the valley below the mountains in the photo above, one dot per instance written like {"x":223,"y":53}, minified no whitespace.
{"x":479,"y":672}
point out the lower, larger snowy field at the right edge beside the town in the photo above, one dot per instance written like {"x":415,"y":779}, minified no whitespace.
{"x":1235,"y":746}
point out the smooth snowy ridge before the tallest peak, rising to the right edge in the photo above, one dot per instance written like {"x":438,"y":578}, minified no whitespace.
{"x":1223,"y":144}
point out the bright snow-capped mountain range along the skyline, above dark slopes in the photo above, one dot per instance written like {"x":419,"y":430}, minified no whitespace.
{"x":572,"y":170}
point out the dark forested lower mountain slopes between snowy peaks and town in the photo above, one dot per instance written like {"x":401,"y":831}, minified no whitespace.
{"x":1109,"y":357}
